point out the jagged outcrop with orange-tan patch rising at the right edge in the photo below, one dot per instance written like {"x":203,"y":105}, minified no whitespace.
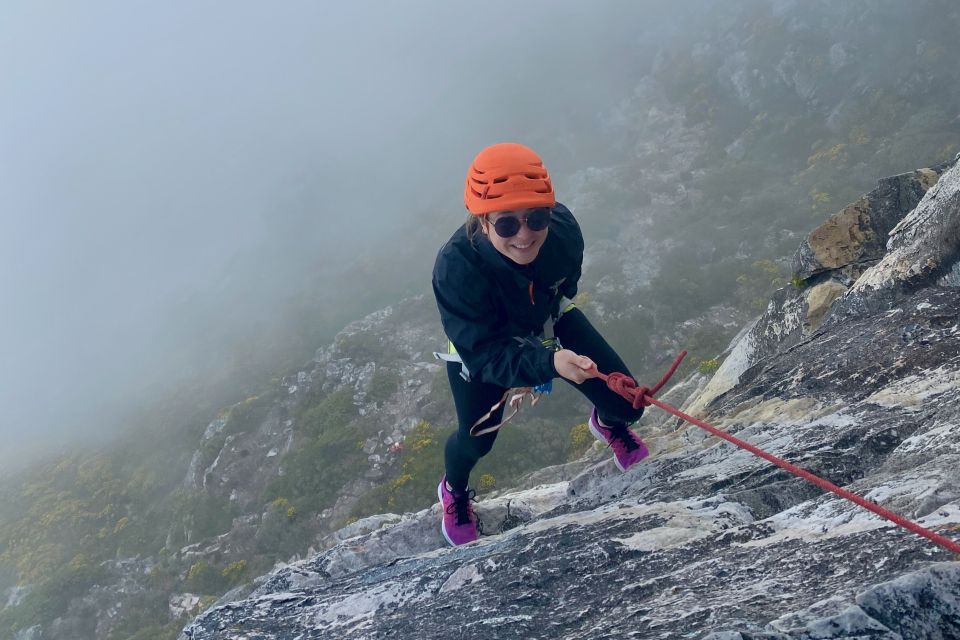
{"x":842,"y":269}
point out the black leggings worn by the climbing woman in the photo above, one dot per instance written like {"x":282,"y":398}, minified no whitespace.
{"x":474,"y":398}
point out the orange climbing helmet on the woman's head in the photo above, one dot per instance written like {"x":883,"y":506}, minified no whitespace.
{"x":507,"y":176}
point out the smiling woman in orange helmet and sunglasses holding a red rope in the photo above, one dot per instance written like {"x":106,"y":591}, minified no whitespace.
{"x":504,"y":284}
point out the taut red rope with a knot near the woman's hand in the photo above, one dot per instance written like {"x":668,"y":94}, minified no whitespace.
{"x":627,"y":387}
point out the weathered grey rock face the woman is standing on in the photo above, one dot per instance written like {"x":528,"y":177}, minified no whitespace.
{"x":703,"y":540}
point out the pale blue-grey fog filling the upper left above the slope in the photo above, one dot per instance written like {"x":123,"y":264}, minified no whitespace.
{"x":149,"y":150}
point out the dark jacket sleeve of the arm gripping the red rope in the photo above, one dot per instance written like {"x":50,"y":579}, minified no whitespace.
{"x":469,"y":319}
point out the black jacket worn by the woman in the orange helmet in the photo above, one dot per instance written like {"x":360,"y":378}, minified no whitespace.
{"x":486,"y":301}
